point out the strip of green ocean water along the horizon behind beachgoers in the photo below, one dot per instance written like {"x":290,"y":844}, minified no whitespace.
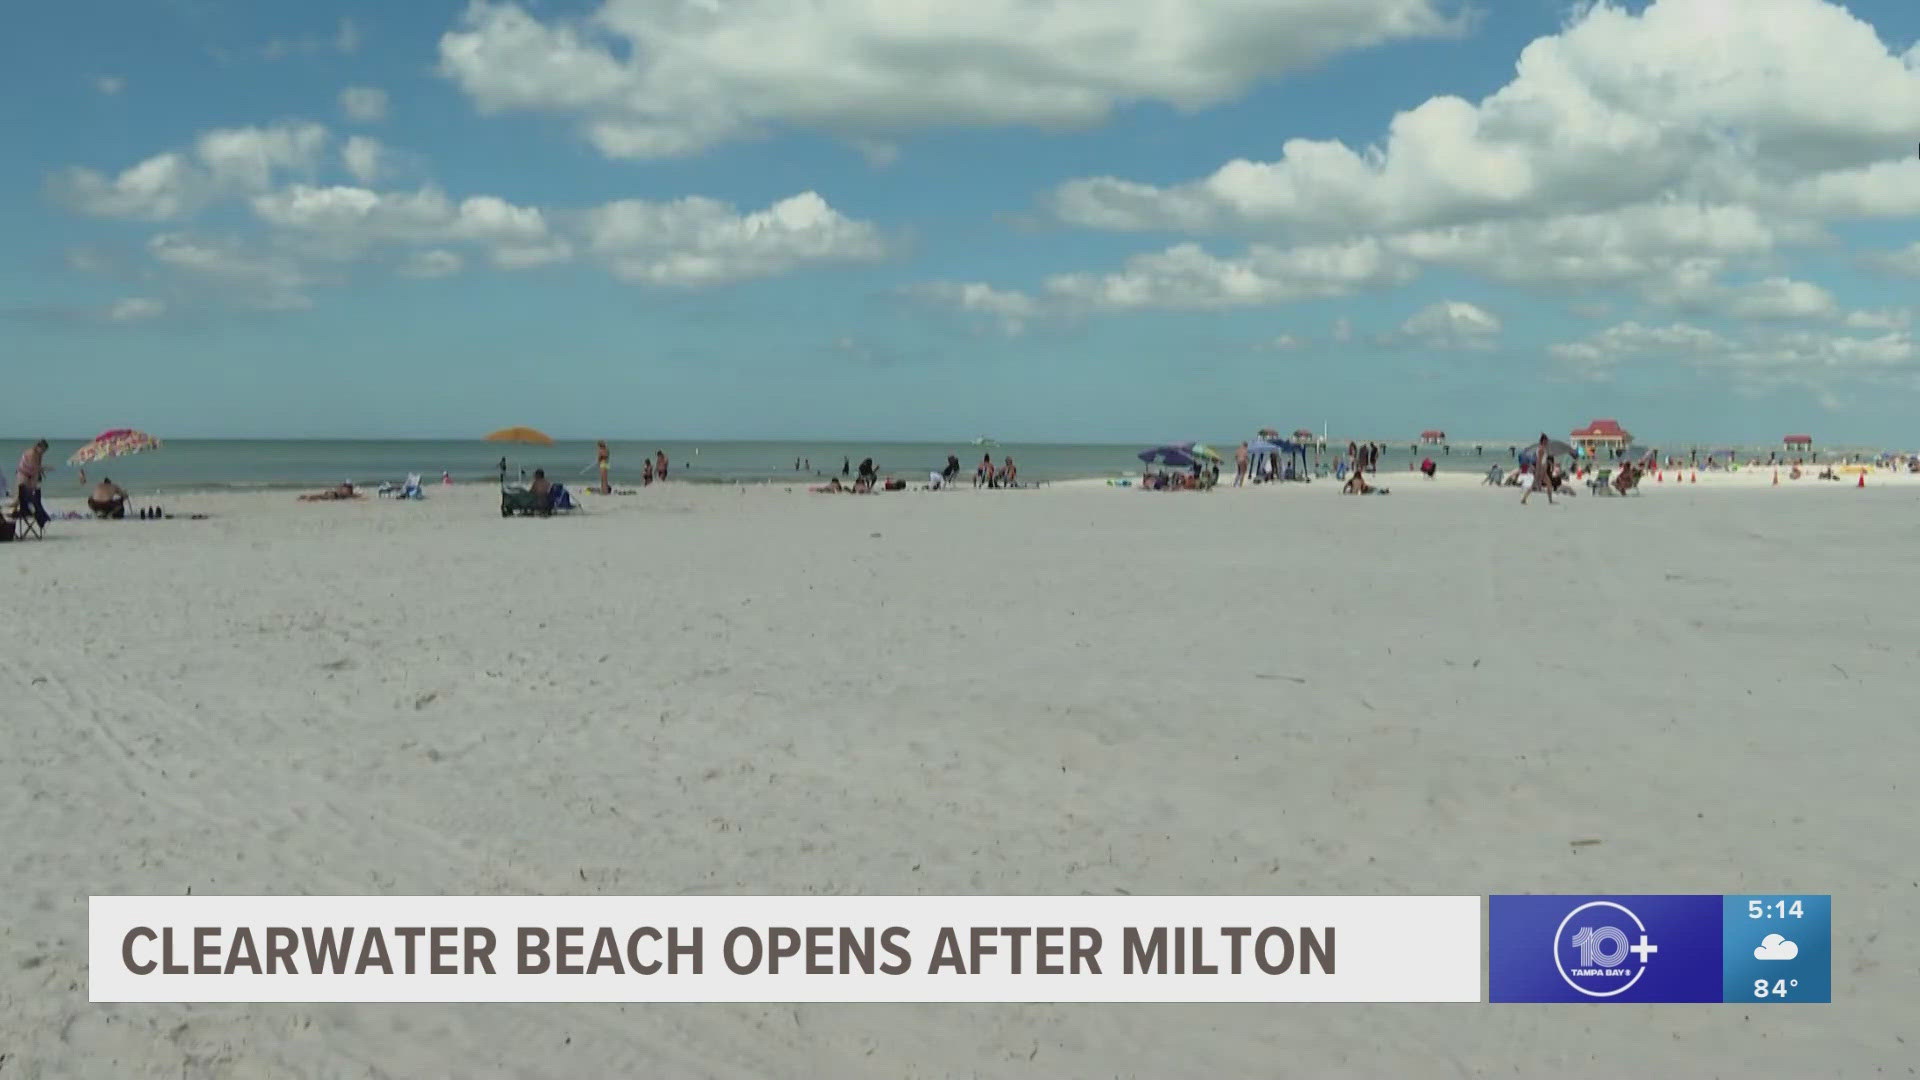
{"x":212,"y":464}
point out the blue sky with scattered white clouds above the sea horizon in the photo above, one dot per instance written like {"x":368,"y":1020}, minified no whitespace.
{"x":1036,"y":220}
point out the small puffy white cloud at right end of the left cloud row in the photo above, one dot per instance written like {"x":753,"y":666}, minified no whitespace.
{"x":700,"y":241}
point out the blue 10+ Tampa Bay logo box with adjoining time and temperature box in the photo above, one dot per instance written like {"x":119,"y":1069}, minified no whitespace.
{"x":1750,"y":950}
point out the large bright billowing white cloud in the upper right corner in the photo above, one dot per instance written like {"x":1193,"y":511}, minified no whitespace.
{"x":1620,"y":109}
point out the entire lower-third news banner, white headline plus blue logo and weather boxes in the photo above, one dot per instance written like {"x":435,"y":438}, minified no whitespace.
{"x":1750,"y":948}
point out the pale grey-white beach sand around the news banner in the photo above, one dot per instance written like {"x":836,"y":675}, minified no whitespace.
{"x":1072,"y":691}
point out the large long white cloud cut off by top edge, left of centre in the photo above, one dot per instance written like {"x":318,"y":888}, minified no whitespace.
{"x":650,"y":78}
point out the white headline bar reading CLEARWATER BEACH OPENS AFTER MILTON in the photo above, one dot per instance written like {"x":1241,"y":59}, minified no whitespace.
{"x":786,"y":948}
